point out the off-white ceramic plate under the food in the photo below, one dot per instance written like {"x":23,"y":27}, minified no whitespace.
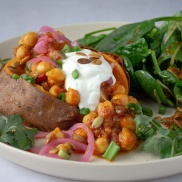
{"x":134,"y":166}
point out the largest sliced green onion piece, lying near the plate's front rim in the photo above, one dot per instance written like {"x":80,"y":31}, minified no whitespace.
{"x":111,"y":151}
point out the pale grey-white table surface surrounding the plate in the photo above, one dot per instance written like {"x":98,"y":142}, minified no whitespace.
{"x":20,"y":16}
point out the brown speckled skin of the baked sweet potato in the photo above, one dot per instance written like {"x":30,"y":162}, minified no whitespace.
{"x":38,"y":109}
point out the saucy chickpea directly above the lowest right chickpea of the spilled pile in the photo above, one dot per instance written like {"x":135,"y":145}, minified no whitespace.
{"x":128,"y":122}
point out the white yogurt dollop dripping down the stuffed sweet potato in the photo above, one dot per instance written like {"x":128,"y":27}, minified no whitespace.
{"x":90,"y":78}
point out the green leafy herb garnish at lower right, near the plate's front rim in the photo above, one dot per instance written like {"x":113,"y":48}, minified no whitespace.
{"x":158,"y":138}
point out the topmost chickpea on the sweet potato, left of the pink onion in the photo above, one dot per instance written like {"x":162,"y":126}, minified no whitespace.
{"x":29,"y":39}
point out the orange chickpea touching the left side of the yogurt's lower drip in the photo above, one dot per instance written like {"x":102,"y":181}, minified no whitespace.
{"x":72,"y":97}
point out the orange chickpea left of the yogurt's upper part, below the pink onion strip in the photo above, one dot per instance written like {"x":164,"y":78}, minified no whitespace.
{"x":55,"y":76}
